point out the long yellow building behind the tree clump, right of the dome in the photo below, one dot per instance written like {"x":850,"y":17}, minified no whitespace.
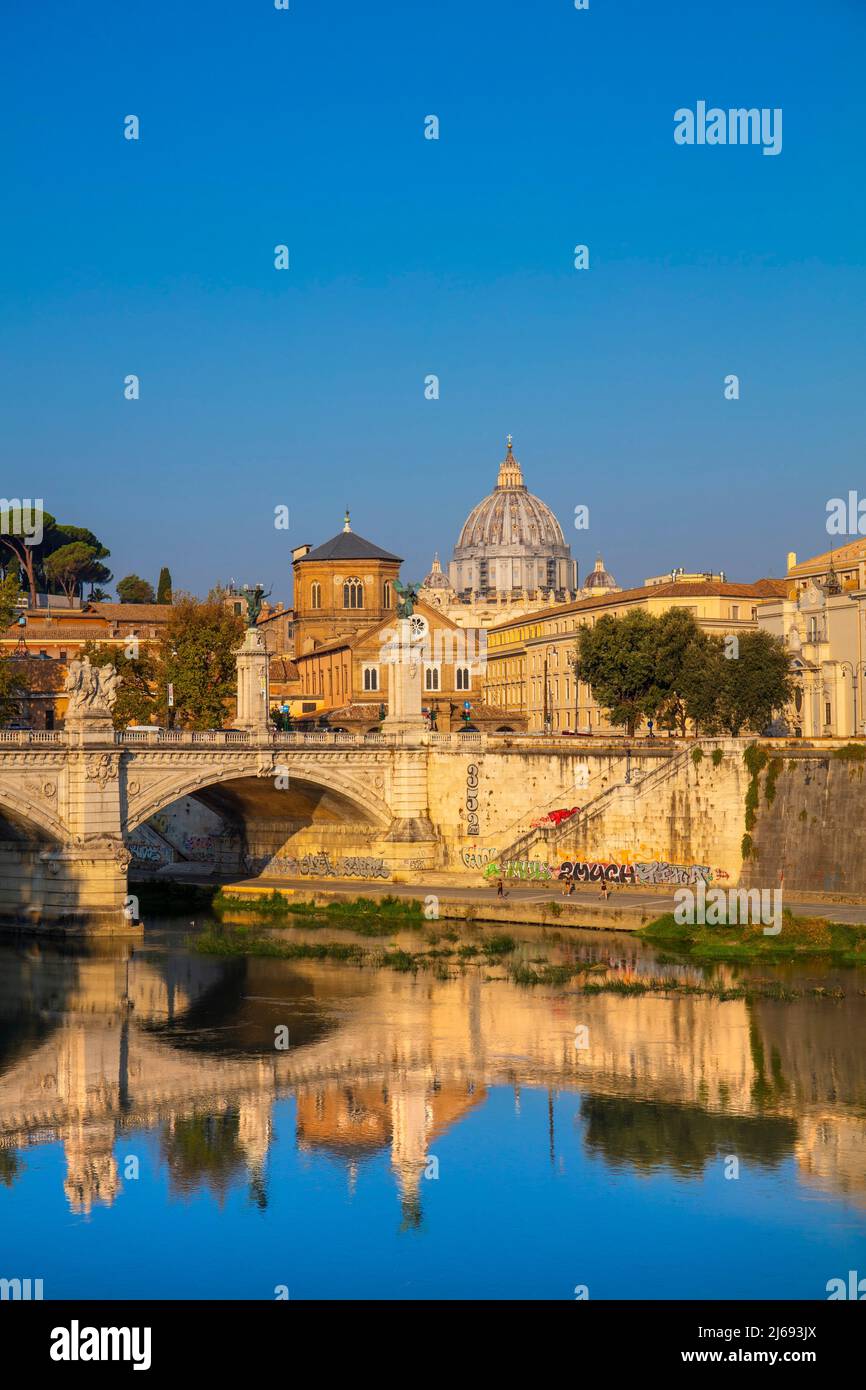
{"x":532,"y":660}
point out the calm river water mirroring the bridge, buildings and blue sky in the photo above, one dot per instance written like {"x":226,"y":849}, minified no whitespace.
{"x":422,"y":1138}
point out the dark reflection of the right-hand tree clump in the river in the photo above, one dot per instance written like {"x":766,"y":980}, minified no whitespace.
{"x":650,"y":1135}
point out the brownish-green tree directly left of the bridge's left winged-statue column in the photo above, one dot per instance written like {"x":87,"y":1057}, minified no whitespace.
{"x":197,"y":657}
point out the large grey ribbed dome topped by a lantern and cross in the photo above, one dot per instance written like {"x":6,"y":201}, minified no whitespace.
{"x":512,"y":541}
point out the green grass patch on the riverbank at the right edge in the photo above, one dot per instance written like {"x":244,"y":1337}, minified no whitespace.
{"x":800,"y":938}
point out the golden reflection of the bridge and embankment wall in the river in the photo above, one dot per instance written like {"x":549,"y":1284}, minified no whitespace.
{"x":390,"y":1063}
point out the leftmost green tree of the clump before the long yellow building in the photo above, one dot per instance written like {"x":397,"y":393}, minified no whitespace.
{"x":619,"y":662}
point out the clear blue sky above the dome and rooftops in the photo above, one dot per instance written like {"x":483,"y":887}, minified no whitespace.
{"x":411,"y":256}
